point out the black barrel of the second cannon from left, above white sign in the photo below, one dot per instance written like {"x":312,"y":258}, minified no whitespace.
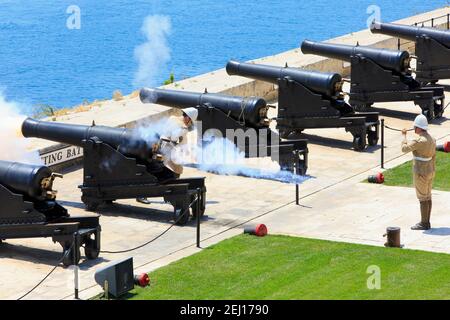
{"x":125,"y":140}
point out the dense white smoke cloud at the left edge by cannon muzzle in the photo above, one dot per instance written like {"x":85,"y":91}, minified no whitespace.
{"x":13,"y":146}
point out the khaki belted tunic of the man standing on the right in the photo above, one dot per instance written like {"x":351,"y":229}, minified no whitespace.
{"x":423,"y":146}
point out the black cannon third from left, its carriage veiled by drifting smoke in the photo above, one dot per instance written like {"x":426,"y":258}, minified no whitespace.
{"x":242,"y":120}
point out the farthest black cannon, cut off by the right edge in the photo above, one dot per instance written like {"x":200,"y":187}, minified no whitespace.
{"x":432,"y":48}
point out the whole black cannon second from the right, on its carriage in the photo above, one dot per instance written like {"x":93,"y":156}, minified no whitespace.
{"x":381,"y":75}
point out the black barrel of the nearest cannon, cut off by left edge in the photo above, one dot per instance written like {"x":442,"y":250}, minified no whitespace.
{"x":24,"y":178}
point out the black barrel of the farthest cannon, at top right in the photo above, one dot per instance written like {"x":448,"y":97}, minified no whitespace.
{"x":410,"y":32}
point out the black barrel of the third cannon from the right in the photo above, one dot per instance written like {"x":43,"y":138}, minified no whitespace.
{"x":321,"y":82}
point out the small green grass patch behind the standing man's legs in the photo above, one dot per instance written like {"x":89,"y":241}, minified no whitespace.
{"x":402,"y":175}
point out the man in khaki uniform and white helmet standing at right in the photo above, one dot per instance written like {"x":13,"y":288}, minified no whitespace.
{"x":423,"y":148}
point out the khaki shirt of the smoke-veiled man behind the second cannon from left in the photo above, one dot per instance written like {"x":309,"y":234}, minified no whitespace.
{"x":178,"y":138}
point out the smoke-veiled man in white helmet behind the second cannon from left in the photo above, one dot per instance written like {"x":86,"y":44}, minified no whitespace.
{"x":180,"y":127}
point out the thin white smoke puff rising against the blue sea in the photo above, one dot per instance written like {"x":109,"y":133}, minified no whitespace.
{"x":153,"y":55}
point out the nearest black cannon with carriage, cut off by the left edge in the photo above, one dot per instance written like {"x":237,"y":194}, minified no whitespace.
{"x":30,"y":210}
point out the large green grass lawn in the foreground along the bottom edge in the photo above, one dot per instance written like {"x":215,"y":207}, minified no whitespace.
{"x":282,"y":267}
